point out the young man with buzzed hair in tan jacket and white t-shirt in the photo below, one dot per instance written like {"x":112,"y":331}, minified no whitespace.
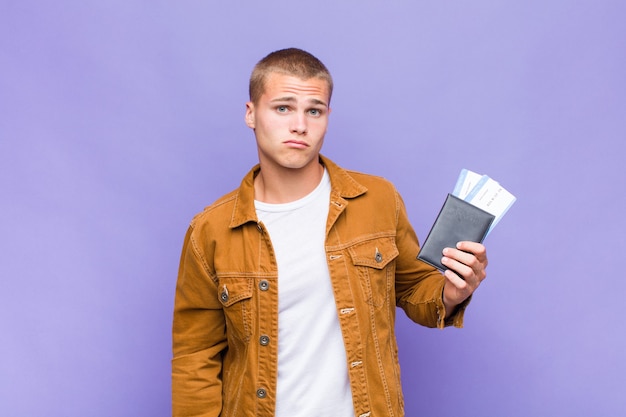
{"x":287,"y":288}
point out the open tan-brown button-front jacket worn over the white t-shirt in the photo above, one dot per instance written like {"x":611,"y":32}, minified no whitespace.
{"x":226,"y":309}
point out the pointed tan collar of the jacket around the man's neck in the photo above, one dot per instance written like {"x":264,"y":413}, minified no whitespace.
{"x":342,"y":184}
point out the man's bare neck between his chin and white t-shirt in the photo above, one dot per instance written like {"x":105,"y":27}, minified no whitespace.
{"x":284,"y":185}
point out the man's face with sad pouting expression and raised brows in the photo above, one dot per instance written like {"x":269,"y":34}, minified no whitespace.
{"x":289,"y":121}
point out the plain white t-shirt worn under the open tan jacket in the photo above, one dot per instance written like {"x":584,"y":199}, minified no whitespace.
{"x":312,"y":366}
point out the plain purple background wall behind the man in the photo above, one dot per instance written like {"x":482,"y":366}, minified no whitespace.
{"x":119,"y":120}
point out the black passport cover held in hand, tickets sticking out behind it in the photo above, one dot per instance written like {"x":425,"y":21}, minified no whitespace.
{"x":457,"y":220}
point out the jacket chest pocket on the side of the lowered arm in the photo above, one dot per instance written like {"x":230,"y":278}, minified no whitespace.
{"x":235,"y":294}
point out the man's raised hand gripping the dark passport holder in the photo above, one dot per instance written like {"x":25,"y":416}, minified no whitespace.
{"x":469,"y":261}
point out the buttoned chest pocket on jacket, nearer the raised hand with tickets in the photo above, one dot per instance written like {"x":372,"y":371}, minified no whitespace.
{"x":374,"y":263}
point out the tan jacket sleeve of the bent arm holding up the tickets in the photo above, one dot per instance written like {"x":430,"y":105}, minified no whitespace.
{"x":419,"y":286}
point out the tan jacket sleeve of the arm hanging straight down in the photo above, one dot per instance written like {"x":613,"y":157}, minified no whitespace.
{"x":198,"y":337}
